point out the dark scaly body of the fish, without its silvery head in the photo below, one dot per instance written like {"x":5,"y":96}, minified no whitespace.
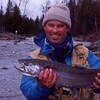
{"x":67,"y":76}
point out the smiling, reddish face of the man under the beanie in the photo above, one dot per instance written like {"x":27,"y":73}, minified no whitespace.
{"x":56,"y":31}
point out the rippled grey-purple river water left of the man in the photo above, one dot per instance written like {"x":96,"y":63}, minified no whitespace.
{"x":10,"y":52}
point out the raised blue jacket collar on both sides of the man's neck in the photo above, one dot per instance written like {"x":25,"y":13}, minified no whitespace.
{"x":40,"y":40}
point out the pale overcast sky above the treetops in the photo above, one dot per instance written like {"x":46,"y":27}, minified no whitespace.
{"x":31,"y":7}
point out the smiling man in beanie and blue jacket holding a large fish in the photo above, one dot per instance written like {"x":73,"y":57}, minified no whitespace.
{"x":56,"y":45}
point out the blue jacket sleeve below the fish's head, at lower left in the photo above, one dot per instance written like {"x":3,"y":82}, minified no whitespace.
{"x":32,"y":90}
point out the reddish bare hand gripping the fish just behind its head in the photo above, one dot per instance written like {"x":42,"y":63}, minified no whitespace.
{"x":47,"y":77}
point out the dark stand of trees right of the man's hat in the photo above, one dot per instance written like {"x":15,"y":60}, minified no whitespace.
{"x":85,"y":15}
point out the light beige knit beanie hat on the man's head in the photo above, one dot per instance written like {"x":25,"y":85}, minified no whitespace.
{"x":58,"y":12}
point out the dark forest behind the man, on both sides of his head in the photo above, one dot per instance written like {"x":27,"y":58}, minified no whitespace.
{"x":85,"y":16}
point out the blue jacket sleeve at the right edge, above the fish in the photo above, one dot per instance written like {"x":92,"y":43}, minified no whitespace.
{"x":93,"y":60}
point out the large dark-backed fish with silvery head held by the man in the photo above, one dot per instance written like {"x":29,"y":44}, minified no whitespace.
{"x":67,"y":75}
